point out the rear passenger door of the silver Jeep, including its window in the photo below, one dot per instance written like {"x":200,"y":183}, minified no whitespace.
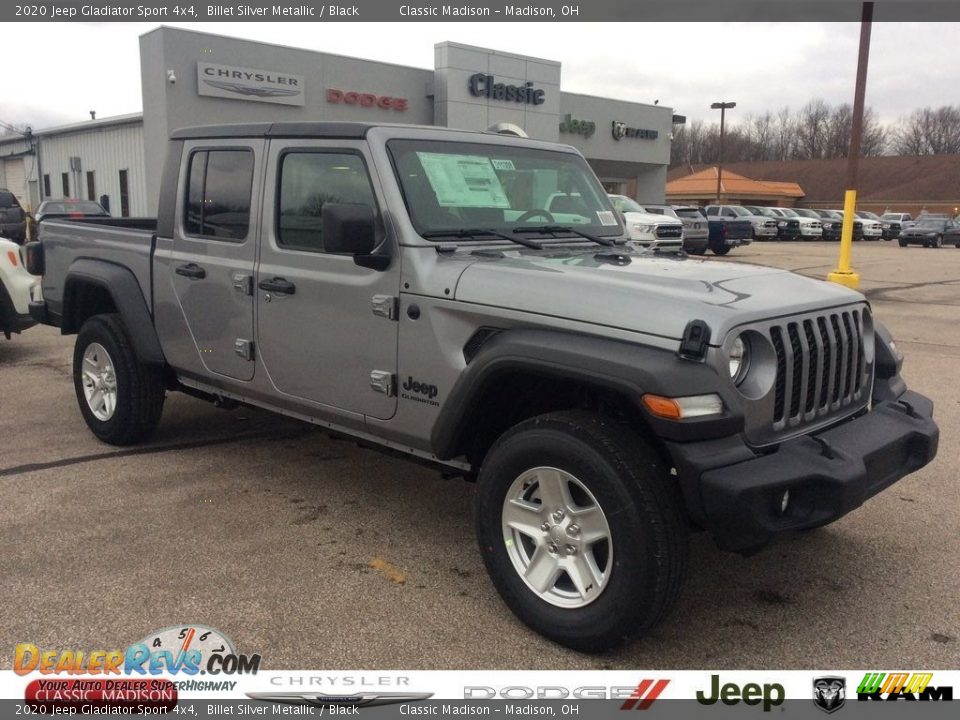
{"x":214,"y":250}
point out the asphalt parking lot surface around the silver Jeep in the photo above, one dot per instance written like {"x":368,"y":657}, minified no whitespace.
{"x":318,"y":554}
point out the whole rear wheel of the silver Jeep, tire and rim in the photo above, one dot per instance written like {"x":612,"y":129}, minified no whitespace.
{"x":120,"y":398}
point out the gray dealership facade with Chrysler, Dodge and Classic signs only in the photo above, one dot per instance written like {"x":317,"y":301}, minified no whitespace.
{"x":194,"y":78}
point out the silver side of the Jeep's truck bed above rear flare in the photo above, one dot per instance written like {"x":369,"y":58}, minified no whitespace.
{"x":127,"y":242}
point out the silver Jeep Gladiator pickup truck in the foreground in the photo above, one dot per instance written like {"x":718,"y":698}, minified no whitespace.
{"x":408,"y":287}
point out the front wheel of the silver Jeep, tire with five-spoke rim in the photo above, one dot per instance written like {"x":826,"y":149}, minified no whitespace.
{"x":581,"y":529}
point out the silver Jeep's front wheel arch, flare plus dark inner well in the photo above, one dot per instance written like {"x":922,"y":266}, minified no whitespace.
{"x":517,"y":374}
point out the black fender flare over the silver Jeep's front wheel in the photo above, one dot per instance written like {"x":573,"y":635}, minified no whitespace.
{"x":625,"y":368}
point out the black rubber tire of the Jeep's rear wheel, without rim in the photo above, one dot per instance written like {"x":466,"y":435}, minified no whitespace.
{"x":139,"y":388}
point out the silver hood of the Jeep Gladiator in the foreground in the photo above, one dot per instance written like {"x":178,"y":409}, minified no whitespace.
{"x":657,"y":295}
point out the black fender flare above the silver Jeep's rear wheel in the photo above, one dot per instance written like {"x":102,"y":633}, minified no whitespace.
{"x":123,"y":287}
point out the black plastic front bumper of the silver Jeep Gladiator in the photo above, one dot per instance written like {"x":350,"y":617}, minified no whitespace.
{"x":828,"y":474}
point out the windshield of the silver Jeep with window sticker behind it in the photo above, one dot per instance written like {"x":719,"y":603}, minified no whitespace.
{"x":455,"y":185}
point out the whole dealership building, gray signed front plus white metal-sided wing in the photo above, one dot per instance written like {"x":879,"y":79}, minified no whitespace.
{"x":193,"y":78}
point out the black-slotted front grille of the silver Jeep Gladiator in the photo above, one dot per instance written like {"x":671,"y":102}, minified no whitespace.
{"x":821,"y":366}
